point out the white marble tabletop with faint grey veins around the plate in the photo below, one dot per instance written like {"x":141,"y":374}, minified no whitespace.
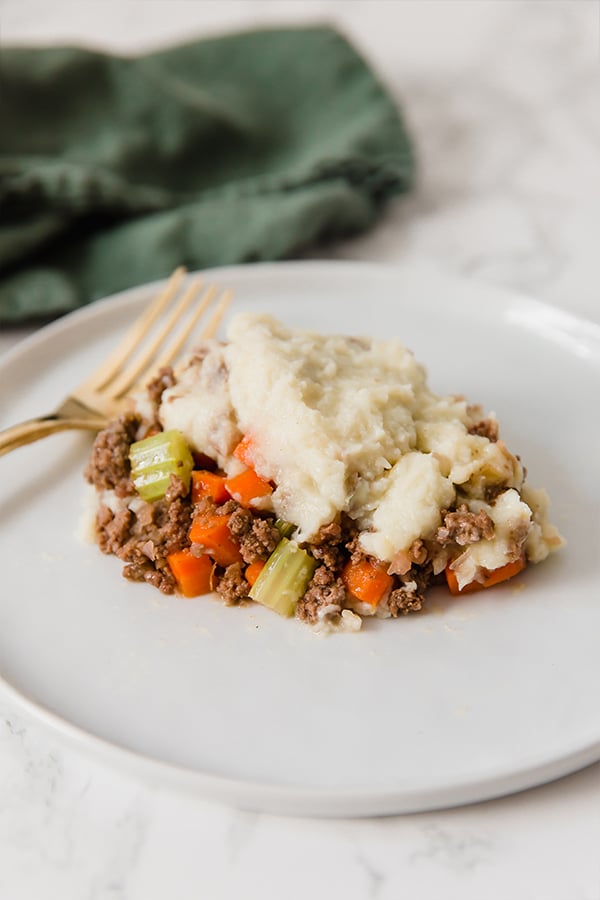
{"x":502,"y":101}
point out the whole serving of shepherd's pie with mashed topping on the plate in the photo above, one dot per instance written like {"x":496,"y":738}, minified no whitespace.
{"x":199,"y":488}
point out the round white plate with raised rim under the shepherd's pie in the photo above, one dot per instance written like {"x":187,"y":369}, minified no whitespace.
{"x":479,"y":696}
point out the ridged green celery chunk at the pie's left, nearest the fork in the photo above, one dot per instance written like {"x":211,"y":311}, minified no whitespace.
{"x":155,"y":459}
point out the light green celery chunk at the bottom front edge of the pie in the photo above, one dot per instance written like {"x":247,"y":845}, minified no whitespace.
{"x":284,"y":578}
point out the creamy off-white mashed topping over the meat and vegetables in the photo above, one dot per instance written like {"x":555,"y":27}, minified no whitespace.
{"x":345,"y":424}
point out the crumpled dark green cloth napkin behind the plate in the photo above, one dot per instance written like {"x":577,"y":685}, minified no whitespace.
{"x":115,"y":170}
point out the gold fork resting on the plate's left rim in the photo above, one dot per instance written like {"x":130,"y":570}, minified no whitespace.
{"x":144,"y":350}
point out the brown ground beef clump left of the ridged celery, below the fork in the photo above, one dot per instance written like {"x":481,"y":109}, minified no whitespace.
{"x":108,"y":468}
